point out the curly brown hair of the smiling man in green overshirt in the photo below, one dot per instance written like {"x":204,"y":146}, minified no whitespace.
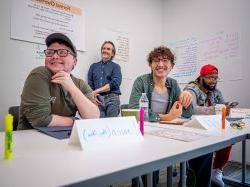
{"x":163,"y":52}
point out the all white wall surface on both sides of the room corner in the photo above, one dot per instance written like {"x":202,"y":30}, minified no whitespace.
{"x":149,"y":24}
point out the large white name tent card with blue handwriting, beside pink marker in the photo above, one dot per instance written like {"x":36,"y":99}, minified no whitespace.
{"x":105,"y":132}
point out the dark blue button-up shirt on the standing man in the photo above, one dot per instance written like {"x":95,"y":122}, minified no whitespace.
{"x":101,"y":73}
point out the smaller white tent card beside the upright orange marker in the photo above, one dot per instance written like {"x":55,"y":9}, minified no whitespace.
{"x":206,"y":122}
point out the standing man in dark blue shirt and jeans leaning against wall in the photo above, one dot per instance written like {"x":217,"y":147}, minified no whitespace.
{"x":105,"y":78}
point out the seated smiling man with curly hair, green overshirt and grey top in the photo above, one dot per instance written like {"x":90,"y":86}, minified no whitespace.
{"x":167,"y":102}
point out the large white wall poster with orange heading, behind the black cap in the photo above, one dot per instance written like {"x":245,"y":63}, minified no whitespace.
{"x":33,"y":20}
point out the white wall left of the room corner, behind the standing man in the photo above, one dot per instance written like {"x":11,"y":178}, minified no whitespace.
{"x":141,"y":19}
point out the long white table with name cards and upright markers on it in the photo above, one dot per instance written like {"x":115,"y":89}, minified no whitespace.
{"x":40,"y":160}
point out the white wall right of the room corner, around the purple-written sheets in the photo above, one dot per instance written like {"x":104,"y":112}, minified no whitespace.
{"x":194,"y":18}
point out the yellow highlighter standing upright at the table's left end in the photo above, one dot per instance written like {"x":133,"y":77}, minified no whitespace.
{"x":8,"y":137}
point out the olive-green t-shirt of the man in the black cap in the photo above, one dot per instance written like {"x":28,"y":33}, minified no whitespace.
{"x":41,"y":98}
